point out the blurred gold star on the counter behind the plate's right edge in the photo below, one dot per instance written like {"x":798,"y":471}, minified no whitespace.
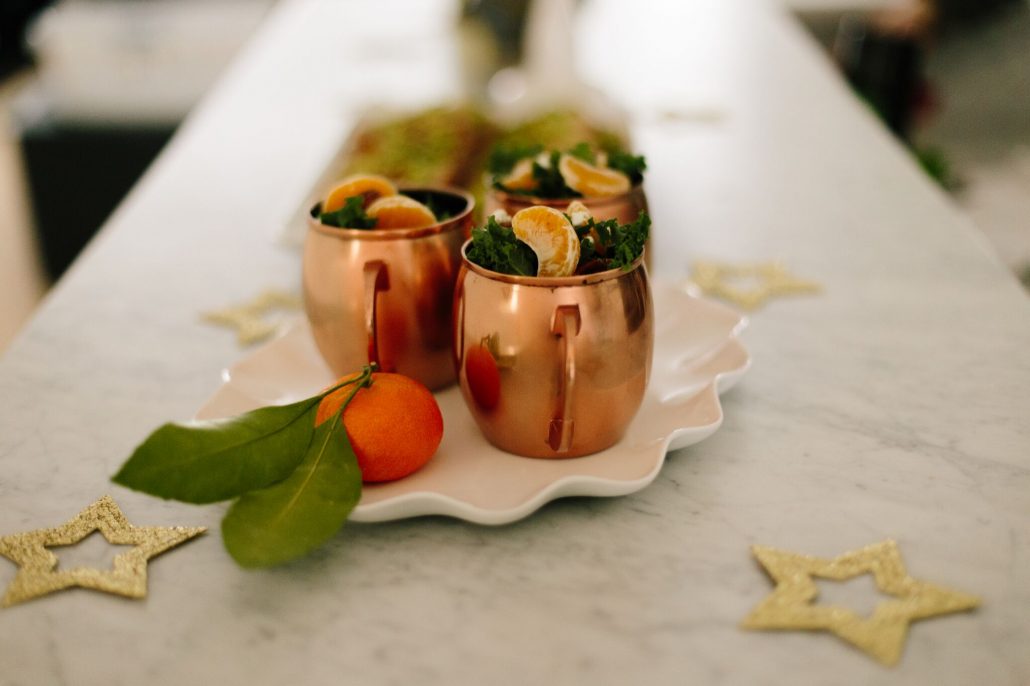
{"x":771,"y":280}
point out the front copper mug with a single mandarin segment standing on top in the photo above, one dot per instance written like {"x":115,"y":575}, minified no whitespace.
{"x":554,"y":367}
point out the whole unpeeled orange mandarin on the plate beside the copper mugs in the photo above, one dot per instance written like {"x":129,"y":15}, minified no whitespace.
{"x":395,"y":426}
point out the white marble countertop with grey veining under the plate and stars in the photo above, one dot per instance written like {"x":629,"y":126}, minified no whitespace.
{"x":894,"y":405}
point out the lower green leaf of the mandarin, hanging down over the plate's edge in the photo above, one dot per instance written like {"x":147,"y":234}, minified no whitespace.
{"x":292,"y":519}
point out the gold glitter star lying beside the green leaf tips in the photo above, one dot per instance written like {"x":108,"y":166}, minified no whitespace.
{"x":38,"y":574}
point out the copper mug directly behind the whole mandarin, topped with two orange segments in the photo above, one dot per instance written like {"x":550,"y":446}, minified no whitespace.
{"x":386,"y":296}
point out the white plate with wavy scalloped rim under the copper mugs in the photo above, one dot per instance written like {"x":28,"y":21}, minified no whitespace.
{"x":697,"y":357}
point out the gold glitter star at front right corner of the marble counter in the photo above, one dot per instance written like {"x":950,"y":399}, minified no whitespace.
{"x":882,"y":636}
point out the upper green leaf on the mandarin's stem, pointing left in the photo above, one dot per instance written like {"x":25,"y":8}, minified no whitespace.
{"x":205,"y":462}
